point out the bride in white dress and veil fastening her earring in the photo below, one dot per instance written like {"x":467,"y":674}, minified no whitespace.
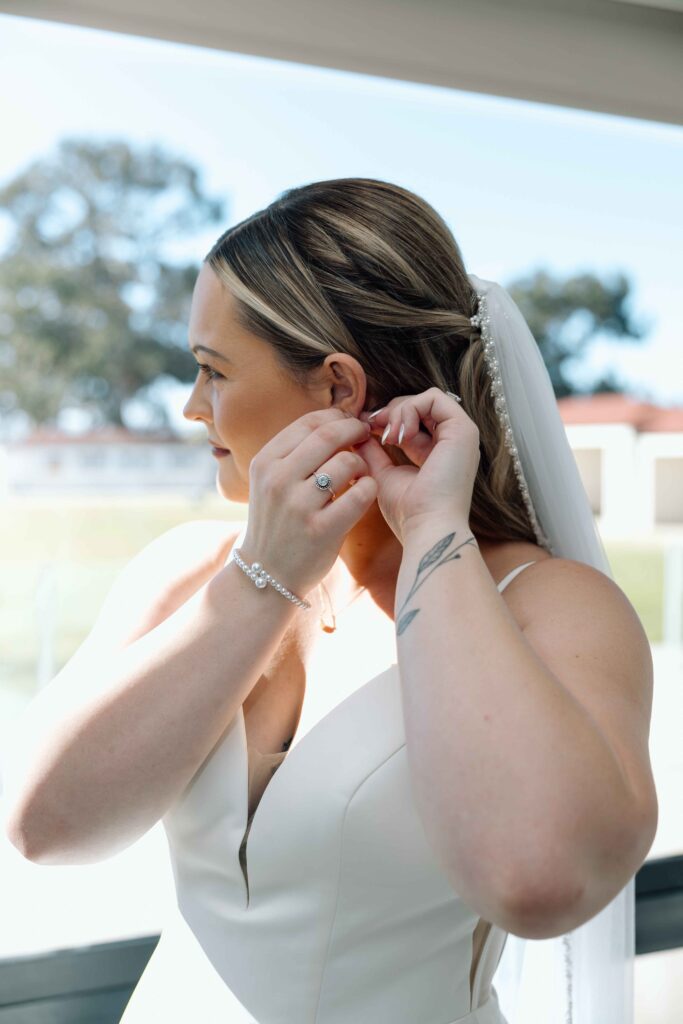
{"x":480,"y":771}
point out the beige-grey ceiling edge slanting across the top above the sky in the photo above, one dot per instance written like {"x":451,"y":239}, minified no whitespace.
{"x":615,"y":57}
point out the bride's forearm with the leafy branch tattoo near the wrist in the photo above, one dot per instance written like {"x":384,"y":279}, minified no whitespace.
{"x":500,"y":752}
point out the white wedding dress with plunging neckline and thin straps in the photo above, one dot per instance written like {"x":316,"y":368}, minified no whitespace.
{"x":334,"y":911}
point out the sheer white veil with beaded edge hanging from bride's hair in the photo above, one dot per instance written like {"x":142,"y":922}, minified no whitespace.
{"x":585,"y":977}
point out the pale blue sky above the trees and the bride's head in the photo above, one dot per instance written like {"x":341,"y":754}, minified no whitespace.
{"x":523,"y":186}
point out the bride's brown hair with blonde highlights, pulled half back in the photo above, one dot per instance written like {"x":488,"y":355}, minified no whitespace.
{"x":367,"y":268}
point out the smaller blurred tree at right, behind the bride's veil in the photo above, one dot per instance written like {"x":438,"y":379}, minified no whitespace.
{"x":566,"y":316}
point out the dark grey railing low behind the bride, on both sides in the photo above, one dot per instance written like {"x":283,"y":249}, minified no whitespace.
{"x":94,"y":985}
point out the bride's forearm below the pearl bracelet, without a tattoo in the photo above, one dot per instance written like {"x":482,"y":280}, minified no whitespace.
{"x":109,"y":770}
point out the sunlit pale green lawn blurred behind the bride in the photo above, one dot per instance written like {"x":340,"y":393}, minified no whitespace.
{"x":65,"y":557}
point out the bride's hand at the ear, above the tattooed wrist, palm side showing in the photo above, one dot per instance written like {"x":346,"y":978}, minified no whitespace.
{"x":446,"y":454}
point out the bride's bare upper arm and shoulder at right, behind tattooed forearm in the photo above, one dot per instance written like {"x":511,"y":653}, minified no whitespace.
{"x":587,"y":633}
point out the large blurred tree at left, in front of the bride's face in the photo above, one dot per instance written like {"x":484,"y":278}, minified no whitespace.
{"x":93,"y":309}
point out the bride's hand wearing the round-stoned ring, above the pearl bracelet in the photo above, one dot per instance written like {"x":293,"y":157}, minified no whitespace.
{"x":295,"y":530}
